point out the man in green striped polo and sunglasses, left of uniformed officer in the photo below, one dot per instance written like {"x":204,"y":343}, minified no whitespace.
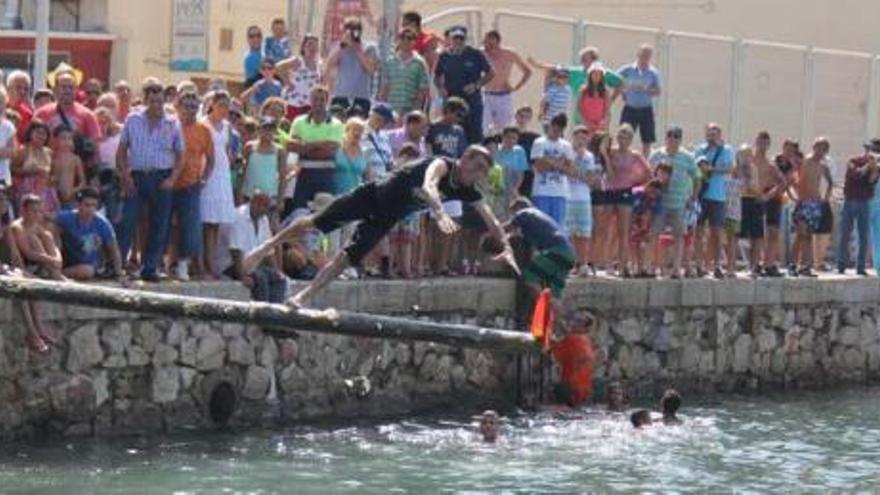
{"x":405,"y":77}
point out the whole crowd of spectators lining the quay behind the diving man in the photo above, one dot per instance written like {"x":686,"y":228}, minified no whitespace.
{"x":170,"y":181}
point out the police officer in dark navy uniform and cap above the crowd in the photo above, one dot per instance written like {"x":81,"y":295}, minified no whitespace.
{"x":462,"y":71}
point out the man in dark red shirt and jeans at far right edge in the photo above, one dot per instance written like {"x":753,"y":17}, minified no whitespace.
{"x":861,"y":177}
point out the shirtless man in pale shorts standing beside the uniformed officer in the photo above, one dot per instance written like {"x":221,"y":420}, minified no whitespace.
{"x":498,"y":92}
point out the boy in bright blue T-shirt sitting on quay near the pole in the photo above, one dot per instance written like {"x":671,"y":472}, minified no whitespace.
{"x":85,"y":238}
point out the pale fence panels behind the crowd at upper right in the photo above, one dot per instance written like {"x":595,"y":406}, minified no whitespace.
{"x":745,"y":85}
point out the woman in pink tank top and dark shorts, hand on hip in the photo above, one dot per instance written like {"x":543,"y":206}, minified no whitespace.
{"x":627,"y":169}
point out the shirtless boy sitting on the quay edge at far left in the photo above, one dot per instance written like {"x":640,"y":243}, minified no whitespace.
{"x":34,"y":241}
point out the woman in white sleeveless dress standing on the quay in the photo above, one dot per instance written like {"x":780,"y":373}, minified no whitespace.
{"x":217,"y":200}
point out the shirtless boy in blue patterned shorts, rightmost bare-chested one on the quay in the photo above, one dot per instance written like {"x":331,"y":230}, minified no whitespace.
{"x":808,"y":211}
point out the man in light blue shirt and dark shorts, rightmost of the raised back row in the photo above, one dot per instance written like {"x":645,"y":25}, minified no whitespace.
{"x":641,"y":84}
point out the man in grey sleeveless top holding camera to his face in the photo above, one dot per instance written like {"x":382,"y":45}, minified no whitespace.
{"x":353,"y":64}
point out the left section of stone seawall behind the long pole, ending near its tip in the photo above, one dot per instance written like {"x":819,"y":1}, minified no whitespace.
{"x":116,"y":374}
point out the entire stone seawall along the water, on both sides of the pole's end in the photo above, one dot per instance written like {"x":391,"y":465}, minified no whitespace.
{"x":116,"y":373}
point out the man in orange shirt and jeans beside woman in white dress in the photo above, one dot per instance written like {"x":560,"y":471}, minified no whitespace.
{"x":198,"y":161}
